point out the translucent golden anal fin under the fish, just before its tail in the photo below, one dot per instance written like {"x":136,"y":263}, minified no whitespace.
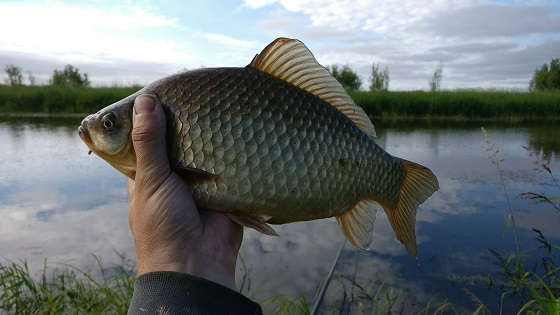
{"x":357,"y":223}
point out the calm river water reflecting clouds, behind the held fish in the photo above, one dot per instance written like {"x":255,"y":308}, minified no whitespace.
{"x":60,"y":203}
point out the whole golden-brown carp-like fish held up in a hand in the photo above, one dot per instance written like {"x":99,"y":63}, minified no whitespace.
{"x":275,"y":142}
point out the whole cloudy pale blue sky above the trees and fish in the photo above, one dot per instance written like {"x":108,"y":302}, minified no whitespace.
{"x":479,"y":43}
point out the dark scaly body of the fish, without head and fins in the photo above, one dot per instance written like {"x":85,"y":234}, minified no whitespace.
{"x":277,"y":150}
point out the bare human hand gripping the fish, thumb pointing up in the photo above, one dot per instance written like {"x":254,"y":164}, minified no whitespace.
{"x":169,"y":232}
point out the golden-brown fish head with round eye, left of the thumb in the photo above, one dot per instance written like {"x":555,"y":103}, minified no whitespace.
{"x":107,"y":134}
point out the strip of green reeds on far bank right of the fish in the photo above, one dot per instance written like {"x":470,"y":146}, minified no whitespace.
{"x":466,"y":104}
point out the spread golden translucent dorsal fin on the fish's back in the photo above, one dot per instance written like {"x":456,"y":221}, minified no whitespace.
{"x":291,"y":61}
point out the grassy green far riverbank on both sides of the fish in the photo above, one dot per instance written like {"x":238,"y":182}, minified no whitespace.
{"x":456,"y":105}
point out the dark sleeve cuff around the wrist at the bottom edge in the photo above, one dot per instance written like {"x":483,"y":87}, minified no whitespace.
{"x":167,"y":292}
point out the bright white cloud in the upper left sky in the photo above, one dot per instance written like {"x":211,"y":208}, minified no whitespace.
{"x":73,"y":34}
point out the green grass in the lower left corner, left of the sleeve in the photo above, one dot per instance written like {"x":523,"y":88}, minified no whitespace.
{"x":65,"y":290}
